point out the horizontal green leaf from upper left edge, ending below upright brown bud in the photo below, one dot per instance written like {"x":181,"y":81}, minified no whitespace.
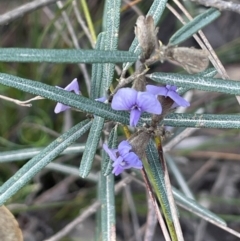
{"x":65,"y":55}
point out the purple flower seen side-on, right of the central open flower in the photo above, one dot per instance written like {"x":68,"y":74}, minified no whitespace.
{"x":168,"y":91}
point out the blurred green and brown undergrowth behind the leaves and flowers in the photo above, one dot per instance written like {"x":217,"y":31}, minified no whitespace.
{"x":53,"y":199}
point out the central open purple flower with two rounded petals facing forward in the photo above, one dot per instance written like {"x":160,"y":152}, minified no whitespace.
{"x":136,"y":102}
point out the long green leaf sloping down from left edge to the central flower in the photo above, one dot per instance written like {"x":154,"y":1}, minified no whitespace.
{"x":65,"y":97}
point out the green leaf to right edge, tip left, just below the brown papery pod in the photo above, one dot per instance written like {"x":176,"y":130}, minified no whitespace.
{"x":198,"y":82}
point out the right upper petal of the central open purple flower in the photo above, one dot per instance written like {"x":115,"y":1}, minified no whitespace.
{"x":149,"y":103}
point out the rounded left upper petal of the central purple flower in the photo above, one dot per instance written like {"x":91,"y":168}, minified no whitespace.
{"x":124,"y":99}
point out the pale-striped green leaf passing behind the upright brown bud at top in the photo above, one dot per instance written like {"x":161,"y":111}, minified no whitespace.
{"x":156,"y":11}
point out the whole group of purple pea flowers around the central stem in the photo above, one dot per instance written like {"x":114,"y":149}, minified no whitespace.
{"x":136,"y":102}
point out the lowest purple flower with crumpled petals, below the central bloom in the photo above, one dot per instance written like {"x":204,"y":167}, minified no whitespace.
{"x":123,"y":158}
